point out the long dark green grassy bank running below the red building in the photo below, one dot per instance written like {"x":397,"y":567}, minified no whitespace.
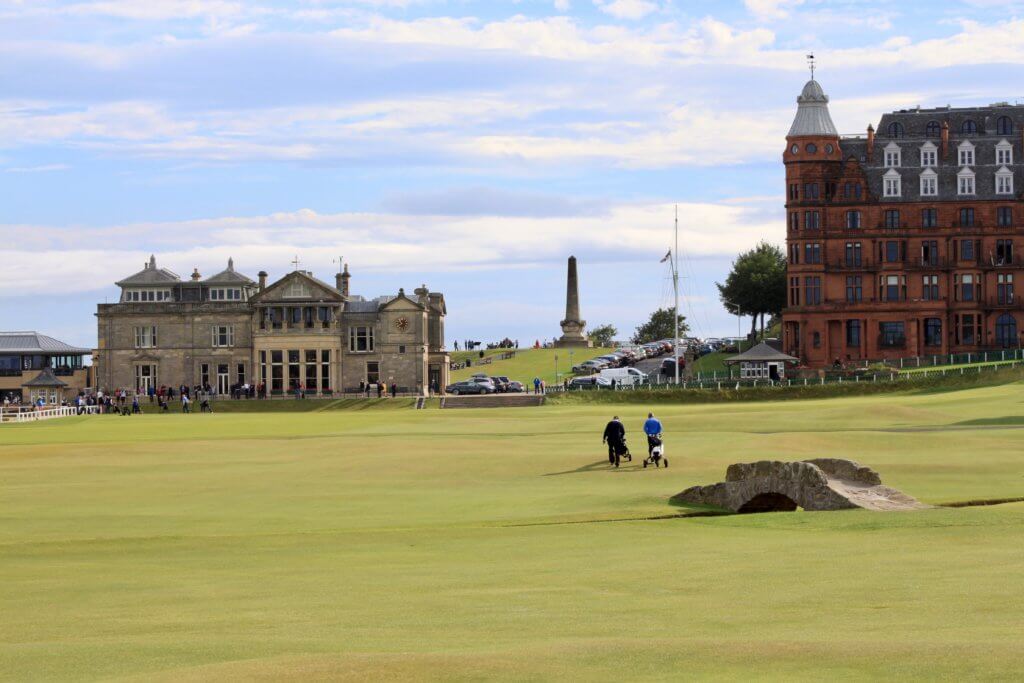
{"x":938,"y":383}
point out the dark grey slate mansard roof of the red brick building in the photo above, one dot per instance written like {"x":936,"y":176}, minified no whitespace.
{"x":915,"y":123}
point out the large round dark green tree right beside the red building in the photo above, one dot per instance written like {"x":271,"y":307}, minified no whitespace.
{"x":756,"y":285}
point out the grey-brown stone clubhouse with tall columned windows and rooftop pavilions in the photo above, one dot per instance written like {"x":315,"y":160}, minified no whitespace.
{"x":228,"y":331}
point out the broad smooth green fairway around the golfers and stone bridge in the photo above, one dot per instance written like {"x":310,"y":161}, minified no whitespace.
{"x":468,"y":545}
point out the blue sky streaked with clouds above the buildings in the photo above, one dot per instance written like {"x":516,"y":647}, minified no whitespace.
{"x":471,"y":146}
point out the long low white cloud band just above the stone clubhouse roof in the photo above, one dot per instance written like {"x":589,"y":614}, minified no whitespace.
{"x":55,"y":261}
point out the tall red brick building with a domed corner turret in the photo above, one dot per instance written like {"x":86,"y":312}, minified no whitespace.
{"x":903,"y":244}
